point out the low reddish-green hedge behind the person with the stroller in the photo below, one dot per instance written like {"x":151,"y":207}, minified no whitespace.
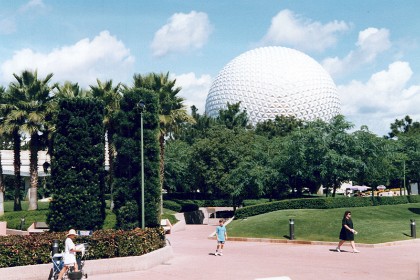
{"x":34,"y":249}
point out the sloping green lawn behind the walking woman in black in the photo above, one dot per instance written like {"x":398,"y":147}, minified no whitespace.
{"x":376,"y":224}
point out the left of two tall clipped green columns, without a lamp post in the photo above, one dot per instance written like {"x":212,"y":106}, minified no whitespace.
{"x":78,"y":166}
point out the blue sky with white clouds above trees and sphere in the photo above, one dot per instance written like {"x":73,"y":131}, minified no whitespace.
{"x":371,"y":48}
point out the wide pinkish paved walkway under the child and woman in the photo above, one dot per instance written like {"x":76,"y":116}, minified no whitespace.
{"x":194,"y":260}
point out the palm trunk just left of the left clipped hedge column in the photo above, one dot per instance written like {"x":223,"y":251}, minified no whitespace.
{"x":33,"y":171}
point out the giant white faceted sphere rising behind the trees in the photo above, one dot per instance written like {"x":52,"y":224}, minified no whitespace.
{"x":273,"y":81}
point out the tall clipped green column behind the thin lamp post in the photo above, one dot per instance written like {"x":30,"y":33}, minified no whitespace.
{"x":127,"y":190}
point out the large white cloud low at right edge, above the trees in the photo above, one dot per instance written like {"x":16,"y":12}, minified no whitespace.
{"x":384,"y":97}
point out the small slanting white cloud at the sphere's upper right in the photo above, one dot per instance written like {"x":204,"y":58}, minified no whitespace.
{"x":370,"y":44}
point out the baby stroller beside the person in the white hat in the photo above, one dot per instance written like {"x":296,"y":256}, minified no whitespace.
{"x":58,"y":263}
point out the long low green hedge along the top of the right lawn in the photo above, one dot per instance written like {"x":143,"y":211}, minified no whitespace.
{"x":323,"y":203}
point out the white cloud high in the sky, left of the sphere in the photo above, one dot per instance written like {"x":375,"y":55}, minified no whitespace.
{"x":182,"y":33}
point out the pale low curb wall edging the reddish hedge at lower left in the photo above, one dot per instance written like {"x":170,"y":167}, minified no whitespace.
{"x":93,"y":267}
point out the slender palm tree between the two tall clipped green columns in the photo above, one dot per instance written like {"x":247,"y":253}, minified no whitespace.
{"x":111,"y":96}
